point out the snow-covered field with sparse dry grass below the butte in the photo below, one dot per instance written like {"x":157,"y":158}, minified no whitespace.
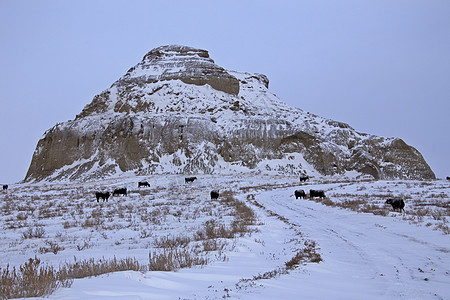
{"x":351,"y":245}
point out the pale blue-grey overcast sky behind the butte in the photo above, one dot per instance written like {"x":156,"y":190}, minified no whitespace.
{"x":382,"y":66}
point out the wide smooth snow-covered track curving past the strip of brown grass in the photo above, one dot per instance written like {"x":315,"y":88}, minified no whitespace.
{"x":356,"y":247}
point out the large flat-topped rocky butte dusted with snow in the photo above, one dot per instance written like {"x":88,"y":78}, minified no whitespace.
{"x":178,"y":112}
